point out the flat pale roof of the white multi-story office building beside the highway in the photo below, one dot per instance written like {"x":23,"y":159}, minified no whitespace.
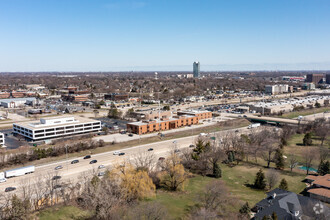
{"x":62,"y":121}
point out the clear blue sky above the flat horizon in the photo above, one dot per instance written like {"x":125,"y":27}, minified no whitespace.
{"x":156,"y":35}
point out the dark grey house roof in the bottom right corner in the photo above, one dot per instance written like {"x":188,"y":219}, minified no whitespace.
{"x":287,"y":205}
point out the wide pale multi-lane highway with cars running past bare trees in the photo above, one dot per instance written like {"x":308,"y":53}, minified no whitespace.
{"x":73,"y":172}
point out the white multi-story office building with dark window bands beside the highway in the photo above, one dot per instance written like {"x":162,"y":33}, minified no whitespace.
{"x":48,"y":128}
